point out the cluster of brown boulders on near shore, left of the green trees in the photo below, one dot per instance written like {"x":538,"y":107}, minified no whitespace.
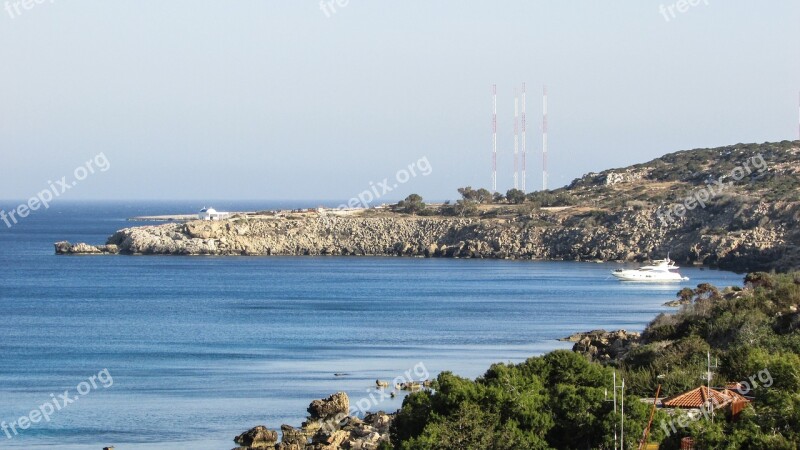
{"x":329,"y":427}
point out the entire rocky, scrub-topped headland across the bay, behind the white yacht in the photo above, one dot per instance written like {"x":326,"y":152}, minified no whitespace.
{"x":733,"y":207}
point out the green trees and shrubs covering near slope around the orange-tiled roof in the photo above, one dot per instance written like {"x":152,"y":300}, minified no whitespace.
{"x":560,"y":400}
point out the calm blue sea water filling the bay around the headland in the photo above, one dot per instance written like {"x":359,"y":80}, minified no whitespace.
{"x":202,"y":348}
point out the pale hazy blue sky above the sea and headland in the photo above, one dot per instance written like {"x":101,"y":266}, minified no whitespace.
{"x":281,"y":100}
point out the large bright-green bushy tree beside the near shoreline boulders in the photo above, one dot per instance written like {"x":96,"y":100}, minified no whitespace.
{"x":555,"y":401}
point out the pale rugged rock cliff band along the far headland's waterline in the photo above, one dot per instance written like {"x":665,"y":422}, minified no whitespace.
{"x":631,"y":235}
